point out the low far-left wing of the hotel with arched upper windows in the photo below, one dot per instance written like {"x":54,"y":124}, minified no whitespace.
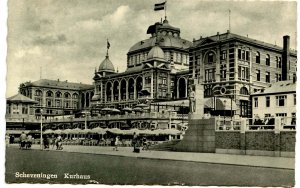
{"x":57,"y":98}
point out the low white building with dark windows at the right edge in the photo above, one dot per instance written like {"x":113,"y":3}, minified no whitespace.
{"x":279,"y":100}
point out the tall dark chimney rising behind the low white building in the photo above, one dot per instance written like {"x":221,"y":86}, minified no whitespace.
{"x":285,"y":57}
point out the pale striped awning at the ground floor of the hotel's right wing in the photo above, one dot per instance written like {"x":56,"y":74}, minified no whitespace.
{"x":222,"y":103}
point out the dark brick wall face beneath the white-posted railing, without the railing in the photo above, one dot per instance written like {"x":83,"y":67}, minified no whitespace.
{"x":264,"y":142}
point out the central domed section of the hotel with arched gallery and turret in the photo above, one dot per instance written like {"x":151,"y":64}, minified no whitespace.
{"x":157,"y":70}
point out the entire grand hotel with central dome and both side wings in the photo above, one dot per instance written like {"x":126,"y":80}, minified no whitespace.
{"x":162,"y":68}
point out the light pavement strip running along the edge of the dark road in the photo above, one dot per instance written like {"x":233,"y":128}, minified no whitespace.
{"x":213,"y":158}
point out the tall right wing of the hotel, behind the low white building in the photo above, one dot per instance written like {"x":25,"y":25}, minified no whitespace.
{"x":232,"y":67}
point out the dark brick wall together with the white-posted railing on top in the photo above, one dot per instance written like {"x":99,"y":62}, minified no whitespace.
{"x":272,"y":137}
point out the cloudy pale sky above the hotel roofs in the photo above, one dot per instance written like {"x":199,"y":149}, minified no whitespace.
{"x":67,"y":38}
